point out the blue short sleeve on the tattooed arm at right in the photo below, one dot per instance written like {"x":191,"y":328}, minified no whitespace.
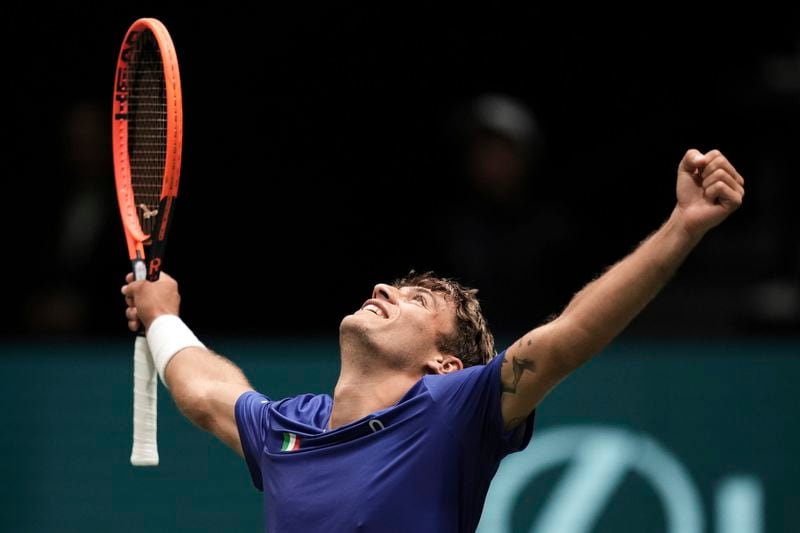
{"x":471,"y":397}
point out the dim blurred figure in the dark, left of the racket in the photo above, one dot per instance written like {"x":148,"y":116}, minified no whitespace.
{"x":74,"y":248}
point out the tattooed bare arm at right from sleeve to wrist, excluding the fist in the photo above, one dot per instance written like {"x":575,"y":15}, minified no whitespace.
{"x":599,"y":312}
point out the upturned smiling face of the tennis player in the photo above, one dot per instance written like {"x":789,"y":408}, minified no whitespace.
{"x":402,"y":324}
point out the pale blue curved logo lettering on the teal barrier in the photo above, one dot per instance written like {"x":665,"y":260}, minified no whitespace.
{"x":597,"y":458}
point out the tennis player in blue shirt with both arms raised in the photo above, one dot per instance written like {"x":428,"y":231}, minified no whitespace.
{"x":411,"y":438}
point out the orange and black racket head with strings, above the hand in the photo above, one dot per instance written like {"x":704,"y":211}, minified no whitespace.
{"x":147,"y":136}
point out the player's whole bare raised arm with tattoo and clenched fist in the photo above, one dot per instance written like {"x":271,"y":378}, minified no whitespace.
{"x":708,"y":190}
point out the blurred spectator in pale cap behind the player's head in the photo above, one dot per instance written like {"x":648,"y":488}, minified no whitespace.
{"x":506,"y":227}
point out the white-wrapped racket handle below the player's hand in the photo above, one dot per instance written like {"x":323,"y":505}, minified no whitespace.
{"x":145,"y":404}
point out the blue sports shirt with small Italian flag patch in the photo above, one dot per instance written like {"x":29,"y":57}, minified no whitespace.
{"x":422,"y":465}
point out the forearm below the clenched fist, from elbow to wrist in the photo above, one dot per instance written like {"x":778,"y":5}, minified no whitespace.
{"x":602,"y":309}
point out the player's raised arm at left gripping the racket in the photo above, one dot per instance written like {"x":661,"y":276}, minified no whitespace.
{"x":204,"y":385}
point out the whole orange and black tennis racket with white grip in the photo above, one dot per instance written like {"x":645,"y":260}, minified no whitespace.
{"x":147,"y":137}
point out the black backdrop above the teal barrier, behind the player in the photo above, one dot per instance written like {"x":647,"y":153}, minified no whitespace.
{"x":320,"y":158}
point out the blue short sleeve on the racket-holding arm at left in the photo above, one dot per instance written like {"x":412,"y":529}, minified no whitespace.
{"x":251,"y":410}
